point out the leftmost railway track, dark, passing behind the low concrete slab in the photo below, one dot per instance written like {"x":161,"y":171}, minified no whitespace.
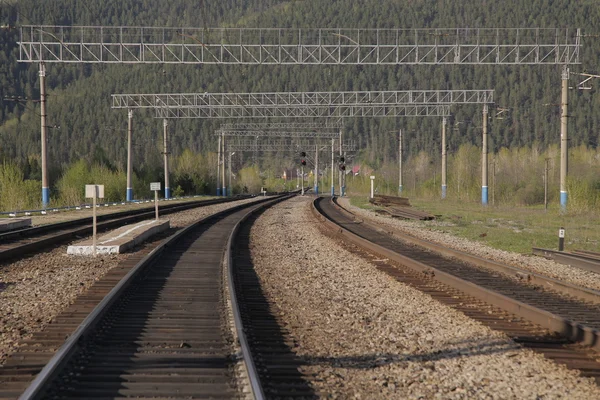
{"x":22,"y":242}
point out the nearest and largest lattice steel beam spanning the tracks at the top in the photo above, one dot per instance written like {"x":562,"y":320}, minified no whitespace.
{"x":125,"y":44}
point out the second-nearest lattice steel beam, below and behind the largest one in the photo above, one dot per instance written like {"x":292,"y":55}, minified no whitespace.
{"x":303,"y":99}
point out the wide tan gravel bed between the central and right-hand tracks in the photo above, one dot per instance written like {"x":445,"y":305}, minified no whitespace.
{"x":365,"y":335}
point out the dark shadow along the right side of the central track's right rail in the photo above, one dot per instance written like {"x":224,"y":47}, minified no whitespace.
{"x":277,"y":364}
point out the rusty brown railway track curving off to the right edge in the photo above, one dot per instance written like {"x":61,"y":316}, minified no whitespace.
{"x":550,"y":317}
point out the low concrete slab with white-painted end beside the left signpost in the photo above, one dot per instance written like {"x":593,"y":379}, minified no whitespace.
{"x":120,"y":240}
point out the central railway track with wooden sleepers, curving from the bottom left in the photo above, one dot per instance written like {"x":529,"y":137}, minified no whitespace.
{"x":163,"y":330}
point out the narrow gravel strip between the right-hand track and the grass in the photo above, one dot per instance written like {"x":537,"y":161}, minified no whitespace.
{"x":535,"y":264}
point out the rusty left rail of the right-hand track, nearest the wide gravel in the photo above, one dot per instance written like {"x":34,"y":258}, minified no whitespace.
{"x":569,"y":329}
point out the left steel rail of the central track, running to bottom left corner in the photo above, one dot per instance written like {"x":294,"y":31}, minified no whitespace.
{"x":61,"y":358}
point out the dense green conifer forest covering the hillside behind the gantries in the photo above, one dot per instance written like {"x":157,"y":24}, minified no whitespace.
{"x":85,"y":128}
